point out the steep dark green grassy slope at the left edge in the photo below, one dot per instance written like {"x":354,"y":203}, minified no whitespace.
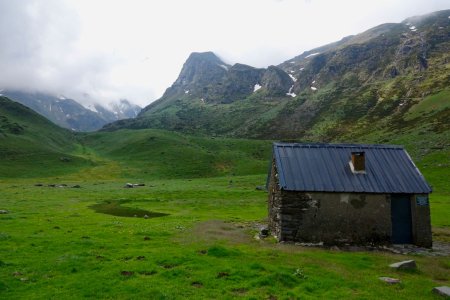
{"x":31,"y":146}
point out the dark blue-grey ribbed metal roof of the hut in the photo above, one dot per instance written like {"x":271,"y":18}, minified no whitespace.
{"x":325,"y":168}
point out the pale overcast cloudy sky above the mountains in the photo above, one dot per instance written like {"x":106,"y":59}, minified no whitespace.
{"x":105,"y":50}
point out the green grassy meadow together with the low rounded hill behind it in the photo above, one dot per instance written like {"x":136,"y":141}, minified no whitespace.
{"x":54,"y":245}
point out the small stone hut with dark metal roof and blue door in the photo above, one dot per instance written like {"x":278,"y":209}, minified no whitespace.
{"x":347,"y":194}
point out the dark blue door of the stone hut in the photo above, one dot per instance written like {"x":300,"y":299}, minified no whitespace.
{"x":401,"y":219}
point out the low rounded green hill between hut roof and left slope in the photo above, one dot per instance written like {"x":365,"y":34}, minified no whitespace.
{"x":151,"y":153}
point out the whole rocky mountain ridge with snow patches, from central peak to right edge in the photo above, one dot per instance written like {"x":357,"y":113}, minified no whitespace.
{"x":391,"y":79}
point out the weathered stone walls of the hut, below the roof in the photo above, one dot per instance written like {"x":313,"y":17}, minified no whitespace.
{"x":338,"y":218}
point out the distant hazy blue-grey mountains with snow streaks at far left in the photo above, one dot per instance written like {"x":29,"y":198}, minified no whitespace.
{"x":72,"y":115}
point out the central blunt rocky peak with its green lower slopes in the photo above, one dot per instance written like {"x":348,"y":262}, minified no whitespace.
{"x":210,"y":96}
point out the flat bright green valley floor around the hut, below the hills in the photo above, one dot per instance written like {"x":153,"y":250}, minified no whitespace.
{"x":54,"y":245}
